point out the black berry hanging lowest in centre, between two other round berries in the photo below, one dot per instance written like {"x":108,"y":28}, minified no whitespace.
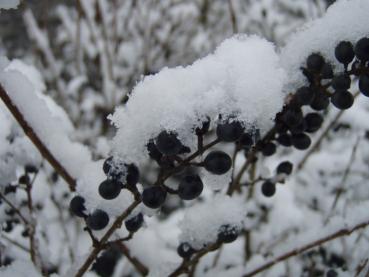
{"x":190,"y":187}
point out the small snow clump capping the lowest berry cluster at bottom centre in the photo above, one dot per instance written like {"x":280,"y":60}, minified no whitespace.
{"x":201,"y":222}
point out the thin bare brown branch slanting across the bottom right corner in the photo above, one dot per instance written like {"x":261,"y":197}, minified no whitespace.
{"x":308,"y":246}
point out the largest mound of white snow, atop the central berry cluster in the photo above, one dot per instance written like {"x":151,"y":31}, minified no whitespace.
{"x":226,"y":82}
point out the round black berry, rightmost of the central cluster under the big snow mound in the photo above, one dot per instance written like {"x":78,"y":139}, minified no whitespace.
{"x":217,"y":162}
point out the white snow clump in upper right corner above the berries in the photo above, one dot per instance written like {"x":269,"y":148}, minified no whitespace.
{"x":344,"y":20}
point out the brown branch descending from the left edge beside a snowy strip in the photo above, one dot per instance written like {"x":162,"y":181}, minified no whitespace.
{"x":36,"y":140}
